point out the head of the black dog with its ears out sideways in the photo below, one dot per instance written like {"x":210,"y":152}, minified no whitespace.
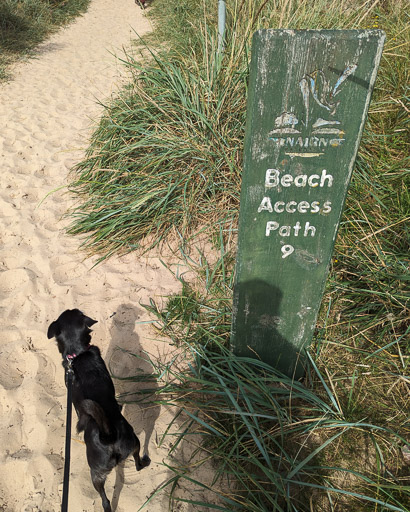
{"x":72,"y":332}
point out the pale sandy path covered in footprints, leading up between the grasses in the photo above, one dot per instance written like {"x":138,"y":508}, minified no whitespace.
{"x":45,"y":117}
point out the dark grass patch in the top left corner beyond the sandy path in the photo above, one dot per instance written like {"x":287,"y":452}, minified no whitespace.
{"x":26,"y":23}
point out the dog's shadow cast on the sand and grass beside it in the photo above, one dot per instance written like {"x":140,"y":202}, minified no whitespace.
{"x":133,"y":380}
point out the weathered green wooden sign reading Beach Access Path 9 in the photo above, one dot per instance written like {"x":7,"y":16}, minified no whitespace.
{"x":309,"y":93}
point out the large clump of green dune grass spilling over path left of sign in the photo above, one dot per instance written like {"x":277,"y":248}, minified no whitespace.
{"x":166,"y":156}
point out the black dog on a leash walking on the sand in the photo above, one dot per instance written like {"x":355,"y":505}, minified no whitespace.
{"x":108,"y":436}
